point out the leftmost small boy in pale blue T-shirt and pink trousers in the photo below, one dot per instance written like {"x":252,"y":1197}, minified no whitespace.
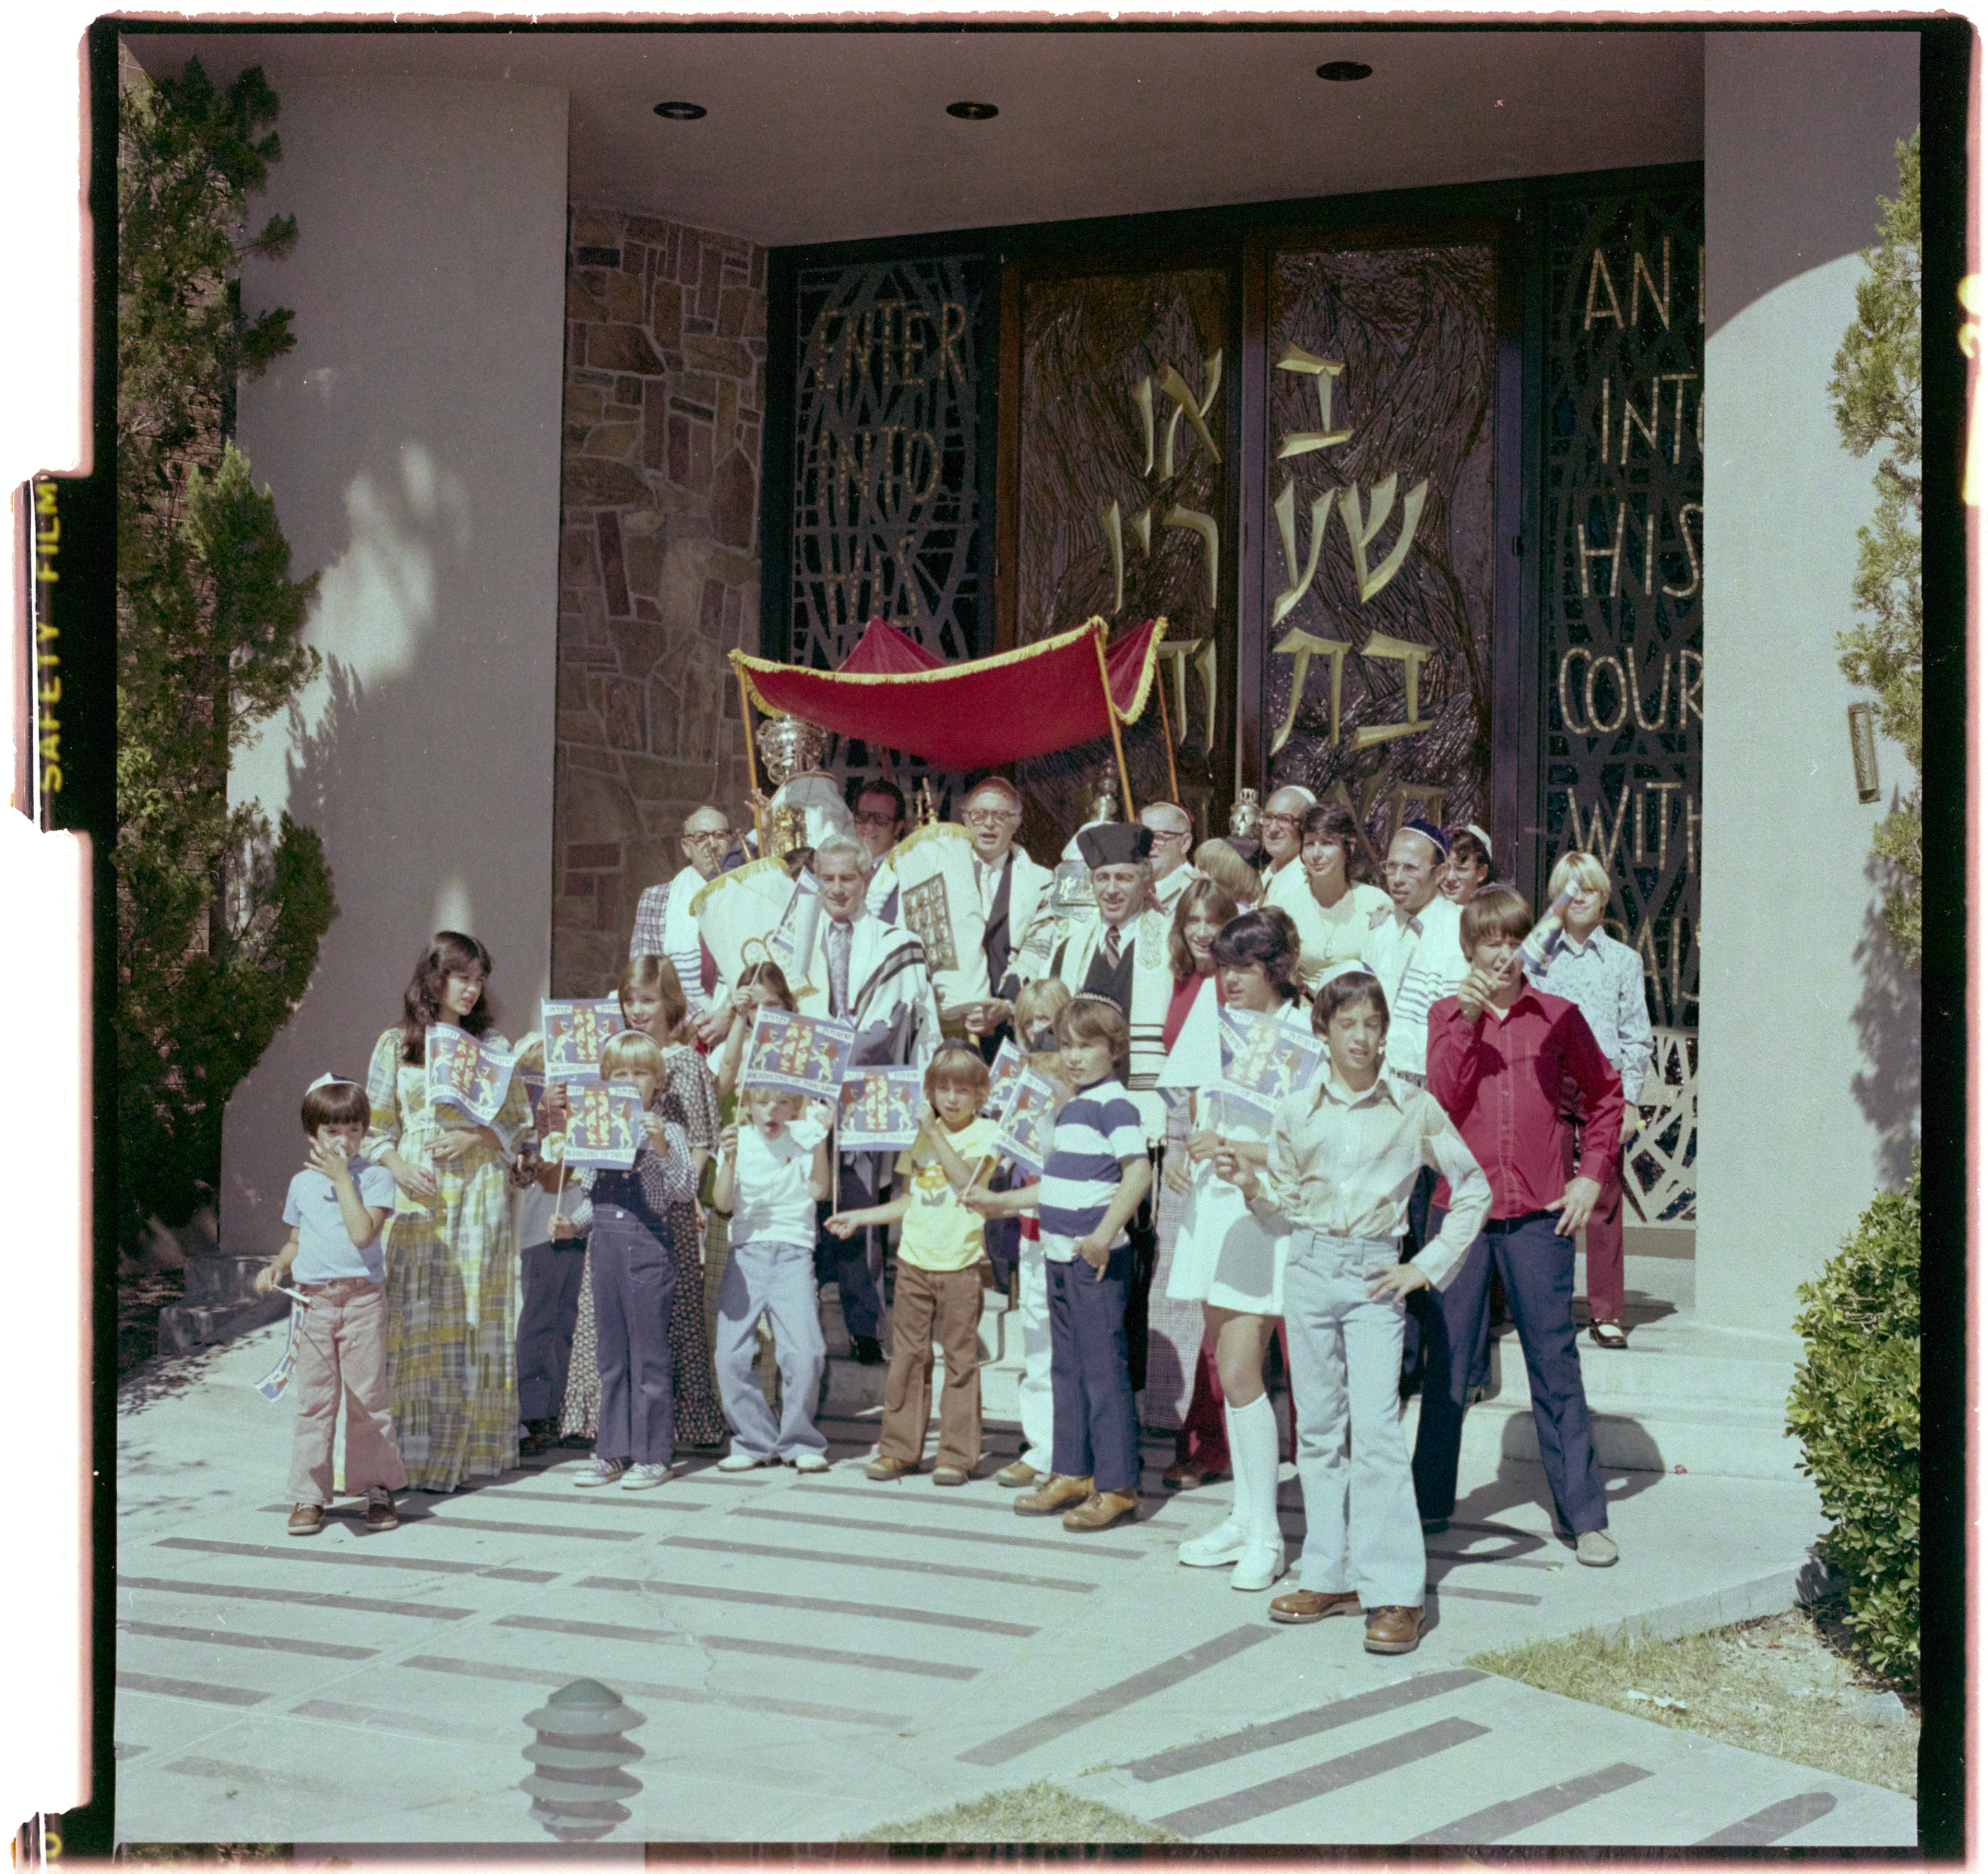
{"x":335,"y":1211}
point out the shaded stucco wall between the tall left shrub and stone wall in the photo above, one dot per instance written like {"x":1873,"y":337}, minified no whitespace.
{"x":413,"y":446}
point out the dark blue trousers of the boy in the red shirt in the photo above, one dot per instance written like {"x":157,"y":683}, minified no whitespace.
{"x":1538,"y":1269}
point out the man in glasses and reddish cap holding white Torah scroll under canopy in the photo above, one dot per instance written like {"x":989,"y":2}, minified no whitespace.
{"x":969,"y":895}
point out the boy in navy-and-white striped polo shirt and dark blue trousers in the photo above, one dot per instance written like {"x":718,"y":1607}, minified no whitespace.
{"x":1092,"y":1183}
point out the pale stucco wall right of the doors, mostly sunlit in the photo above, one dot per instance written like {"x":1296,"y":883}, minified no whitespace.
{"x":1808,"y":1082}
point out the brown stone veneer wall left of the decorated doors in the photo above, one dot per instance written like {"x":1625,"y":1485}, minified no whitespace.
{"x":659,"y":561}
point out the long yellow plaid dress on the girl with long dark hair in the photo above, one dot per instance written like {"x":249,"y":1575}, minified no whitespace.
{"x":450,"y":1287}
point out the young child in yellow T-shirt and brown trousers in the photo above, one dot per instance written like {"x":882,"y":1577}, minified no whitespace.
{"x":941,"y":1271}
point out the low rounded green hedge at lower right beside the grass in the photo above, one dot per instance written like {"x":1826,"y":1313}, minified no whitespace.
{"x":1856,"y":1410}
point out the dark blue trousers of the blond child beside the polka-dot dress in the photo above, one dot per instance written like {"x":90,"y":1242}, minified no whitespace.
{"x":635,"y":1277}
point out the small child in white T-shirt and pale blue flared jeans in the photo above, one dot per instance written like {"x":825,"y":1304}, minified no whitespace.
{"x":772,"y":1171}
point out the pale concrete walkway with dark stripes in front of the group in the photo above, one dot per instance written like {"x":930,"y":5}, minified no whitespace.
{"x":816,"y":1656}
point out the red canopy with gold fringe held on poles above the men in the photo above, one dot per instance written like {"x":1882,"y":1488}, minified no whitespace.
{"x":983,"y":714}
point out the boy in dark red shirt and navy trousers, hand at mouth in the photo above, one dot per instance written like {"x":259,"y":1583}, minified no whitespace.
{"x":1500,"y":1058}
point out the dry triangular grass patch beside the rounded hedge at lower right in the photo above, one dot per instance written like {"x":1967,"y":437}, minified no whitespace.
{"x":1782,"y":1686}
